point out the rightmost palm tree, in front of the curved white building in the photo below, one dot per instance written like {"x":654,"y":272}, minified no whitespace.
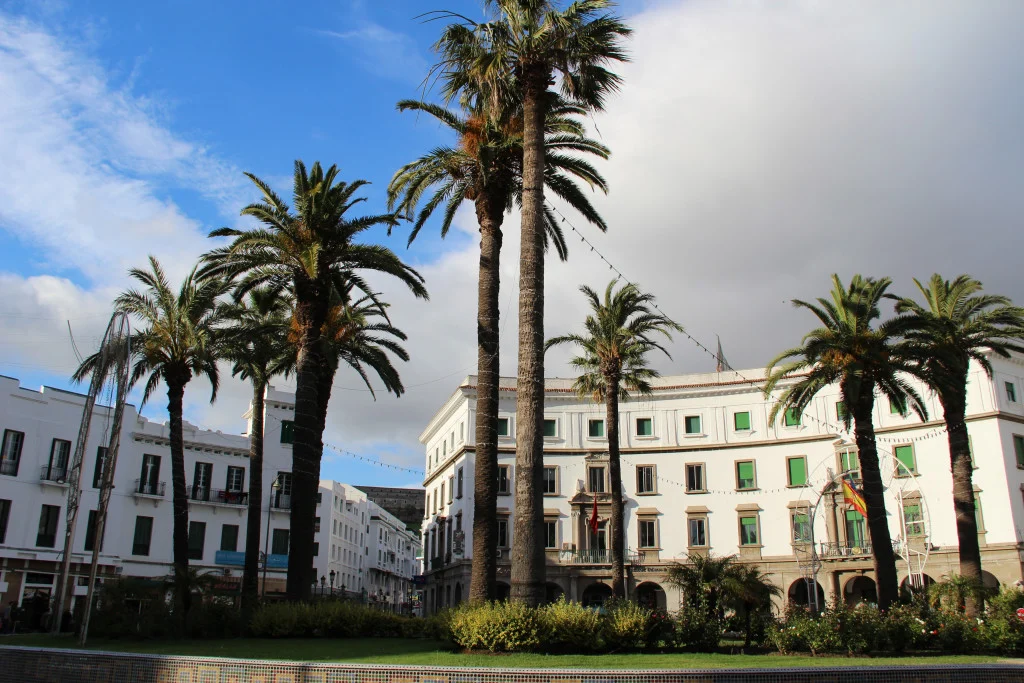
{"x":955,"y":326}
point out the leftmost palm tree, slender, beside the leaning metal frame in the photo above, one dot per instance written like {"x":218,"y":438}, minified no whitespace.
{"x":180,"y":341}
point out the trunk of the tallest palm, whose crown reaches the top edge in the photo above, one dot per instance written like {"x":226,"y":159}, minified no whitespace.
{"x":528,"y":539}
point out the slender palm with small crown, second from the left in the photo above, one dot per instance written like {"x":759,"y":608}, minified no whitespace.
{"x":257,"y":344}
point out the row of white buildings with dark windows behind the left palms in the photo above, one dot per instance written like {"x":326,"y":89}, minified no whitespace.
{"x":39,"y":430}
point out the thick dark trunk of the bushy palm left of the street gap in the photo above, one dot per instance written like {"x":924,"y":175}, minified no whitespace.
{"x":308,"y":449}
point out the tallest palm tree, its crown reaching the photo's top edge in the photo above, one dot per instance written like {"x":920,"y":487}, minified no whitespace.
{"x":514,"y":60}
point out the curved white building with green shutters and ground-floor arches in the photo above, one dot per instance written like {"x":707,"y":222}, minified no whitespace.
{"x":704,"y":472}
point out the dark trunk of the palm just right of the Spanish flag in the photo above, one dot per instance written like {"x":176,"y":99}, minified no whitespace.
{"x":878,"y":525}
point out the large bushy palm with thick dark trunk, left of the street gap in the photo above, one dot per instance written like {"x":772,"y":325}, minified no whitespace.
{"x":306,"y":249}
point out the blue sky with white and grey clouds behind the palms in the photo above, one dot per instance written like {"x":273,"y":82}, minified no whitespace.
{"x":758,"y":147}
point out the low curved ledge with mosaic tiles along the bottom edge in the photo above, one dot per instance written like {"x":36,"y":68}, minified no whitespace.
{"x":36,"y":665}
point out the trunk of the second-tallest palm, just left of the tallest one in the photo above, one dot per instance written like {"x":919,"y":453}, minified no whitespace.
{"x":485,"y":566}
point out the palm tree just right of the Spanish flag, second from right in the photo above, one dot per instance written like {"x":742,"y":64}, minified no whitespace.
{"x":848,"y":351}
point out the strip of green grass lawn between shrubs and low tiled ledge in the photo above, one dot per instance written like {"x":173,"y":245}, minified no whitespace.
{"x":438,"y":654}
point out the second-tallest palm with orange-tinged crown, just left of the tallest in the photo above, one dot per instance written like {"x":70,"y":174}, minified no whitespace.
{"x":486,"y":168}
